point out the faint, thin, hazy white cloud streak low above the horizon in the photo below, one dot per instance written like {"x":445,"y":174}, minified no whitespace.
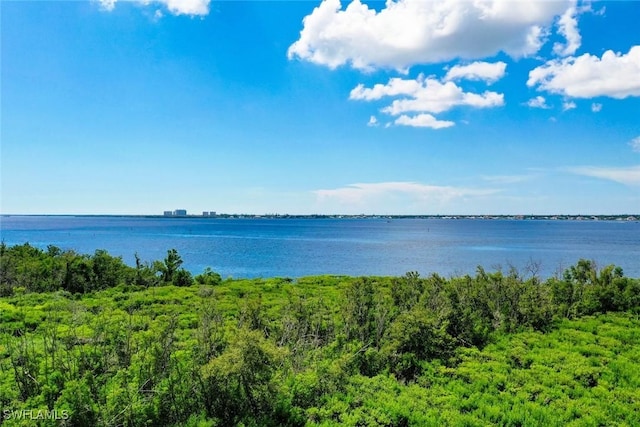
{"x":388,"y":194}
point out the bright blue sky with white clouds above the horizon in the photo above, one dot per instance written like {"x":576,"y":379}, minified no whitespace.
{"x":411,"y":107}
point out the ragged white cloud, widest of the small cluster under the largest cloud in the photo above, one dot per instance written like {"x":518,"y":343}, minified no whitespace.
{"x":425,"y":95}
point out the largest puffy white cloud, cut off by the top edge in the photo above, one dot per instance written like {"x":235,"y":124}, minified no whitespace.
{"x":408,"y":32}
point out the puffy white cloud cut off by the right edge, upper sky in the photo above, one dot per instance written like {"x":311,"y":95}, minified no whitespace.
{"x":614,"y":75}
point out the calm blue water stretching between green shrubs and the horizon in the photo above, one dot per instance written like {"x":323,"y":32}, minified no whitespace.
{"x":302,"y":247}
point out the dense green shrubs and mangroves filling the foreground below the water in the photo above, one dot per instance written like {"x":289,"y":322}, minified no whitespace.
{"x":96,"y":342}
